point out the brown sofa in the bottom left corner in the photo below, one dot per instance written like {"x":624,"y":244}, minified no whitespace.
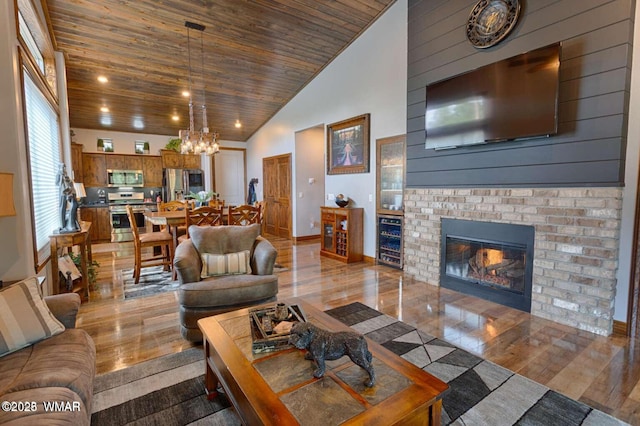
{"x":59,"y":368}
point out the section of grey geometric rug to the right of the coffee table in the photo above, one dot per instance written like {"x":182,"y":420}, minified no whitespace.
{"x":480,"y":392}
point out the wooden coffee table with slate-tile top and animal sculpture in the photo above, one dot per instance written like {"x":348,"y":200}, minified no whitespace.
{"x":278,"y":388}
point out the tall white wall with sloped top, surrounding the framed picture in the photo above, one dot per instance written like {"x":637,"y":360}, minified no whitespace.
{"x":370,"y":76}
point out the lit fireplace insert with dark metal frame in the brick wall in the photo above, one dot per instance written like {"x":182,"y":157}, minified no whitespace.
{"x":490,"y":260}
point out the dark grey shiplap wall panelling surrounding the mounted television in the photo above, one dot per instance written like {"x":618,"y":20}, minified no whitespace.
{"x":589,"y":149}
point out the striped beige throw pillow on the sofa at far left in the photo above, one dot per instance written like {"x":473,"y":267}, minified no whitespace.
{"x":25,"y":318}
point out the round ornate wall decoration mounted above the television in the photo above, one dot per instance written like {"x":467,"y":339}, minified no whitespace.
{"x":490,"y":21}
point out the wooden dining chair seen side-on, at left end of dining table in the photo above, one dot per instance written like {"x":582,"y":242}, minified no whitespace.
{"x":149,"y":239}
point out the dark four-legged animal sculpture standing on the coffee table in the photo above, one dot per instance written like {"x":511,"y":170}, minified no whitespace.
{"x":324,"y":345}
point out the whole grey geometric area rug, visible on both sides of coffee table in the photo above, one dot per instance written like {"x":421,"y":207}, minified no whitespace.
{"x":170,"y":389}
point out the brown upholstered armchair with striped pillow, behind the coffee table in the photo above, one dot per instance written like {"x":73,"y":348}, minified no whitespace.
{"x":220,"y":269}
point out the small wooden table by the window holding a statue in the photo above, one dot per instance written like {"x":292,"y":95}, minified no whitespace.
{"x":82,"y":239}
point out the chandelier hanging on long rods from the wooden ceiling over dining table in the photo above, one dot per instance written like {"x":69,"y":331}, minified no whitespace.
{"x":203,"y":141}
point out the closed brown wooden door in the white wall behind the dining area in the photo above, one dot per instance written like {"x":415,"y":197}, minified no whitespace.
{"x":277,"y":195}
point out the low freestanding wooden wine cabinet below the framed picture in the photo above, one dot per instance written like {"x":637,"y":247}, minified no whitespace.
{"x":341,"y":237}
